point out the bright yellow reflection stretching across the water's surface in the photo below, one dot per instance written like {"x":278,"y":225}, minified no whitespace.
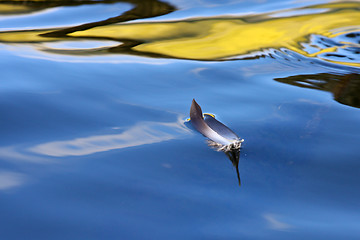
{"x":213,"y":38}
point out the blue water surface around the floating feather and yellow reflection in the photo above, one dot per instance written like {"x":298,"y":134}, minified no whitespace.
{"x":95,"y":147}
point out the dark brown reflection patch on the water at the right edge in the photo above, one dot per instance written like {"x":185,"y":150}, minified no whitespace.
{"x":345,"y":88}
